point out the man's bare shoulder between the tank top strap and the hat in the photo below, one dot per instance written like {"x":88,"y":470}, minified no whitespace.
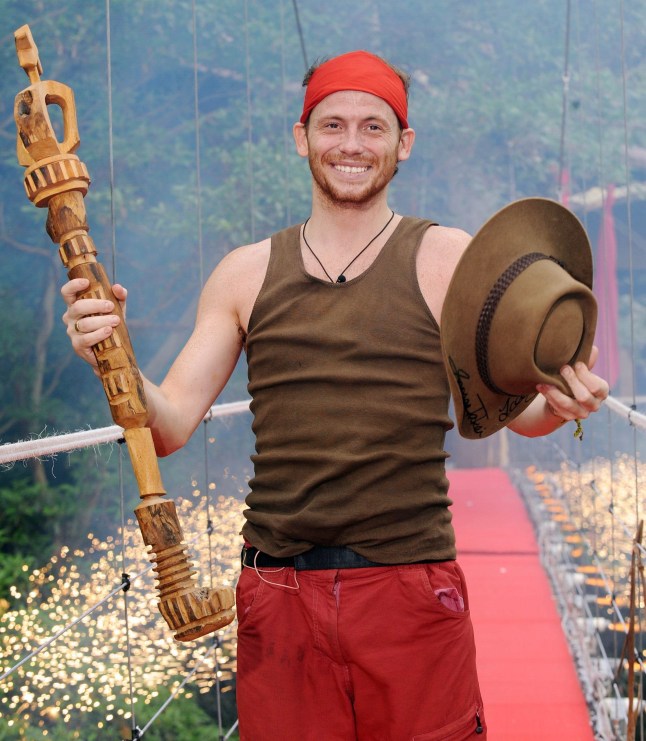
{"x":441,"y":249}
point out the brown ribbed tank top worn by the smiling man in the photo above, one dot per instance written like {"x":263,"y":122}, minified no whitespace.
{"x":350,"y":404}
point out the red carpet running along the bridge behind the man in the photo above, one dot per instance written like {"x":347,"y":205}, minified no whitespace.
{"x":528,"y":679}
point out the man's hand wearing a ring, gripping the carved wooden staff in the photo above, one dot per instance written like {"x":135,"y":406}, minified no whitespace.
{"x":89,"y":320}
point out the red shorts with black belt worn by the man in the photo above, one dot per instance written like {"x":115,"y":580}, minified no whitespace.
{"x":367,"y":654}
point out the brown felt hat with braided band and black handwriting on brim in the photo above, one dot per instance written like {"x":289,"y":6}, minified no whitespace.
{"x":518,"y":308}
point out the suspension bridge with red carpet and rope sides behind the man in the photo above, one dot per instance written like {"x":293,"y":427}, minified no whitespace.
{"x":548,"y":531}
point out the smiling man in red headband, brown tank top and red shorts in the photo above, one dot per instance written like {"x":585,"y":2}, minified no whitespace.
{"x":353,"y":613}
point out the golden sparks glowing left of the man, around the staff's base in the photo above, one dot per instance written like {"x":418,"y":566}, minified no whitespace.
{"x":81,"y":678}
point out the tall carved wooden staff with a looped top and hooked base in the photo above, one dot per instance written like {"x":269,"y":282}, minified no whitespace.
{"x":57,"y":179}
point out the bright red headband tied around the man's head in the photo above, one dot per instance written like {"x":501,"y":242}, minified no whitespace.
{"x":357,"y":70}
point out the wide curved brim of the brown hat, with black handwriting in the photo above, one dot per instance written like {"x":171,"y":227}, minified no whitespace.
{"x":525,"y":226}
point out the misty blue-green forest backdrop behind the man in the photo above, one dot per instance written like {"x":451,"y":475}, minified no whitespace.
{"x":507,"y":99}
